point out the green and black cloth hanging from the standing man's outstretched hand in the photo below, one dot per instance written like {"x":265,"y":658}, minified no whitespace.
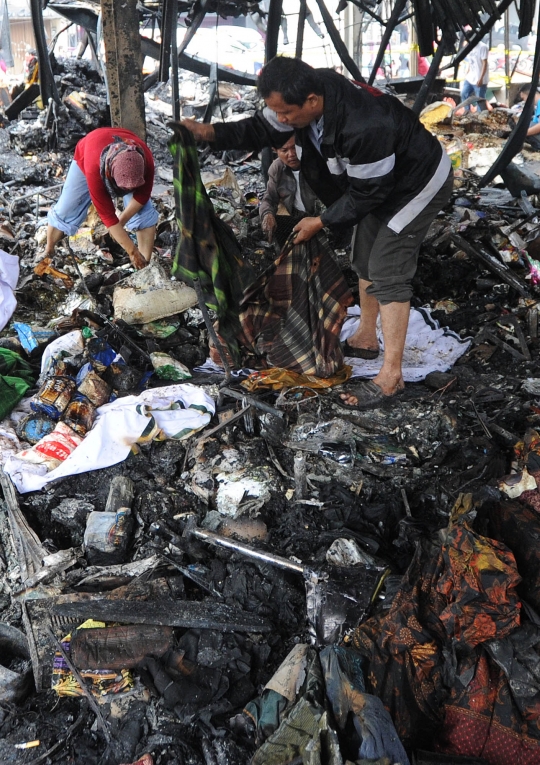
{"x":207,"y":248}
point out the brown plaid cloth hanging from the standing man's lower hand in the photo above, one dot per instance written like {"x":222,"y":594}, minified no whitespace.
{"x":294,"y":312}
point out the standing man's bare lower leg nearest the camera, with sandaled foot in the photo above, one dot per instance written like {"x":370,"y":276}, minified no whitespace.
{"x":394,"y":320}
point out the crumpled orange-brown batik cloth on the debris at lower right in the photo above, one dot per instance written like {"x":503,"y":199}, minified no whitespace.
{"x":425,"y":652}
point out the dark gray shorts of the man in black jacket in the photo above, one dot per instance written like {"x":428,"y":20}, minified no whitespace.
{"x":388,"y":260}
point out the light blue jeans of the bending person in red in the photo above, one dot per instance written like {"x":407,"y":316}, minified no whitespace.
{"x":70,"y":212}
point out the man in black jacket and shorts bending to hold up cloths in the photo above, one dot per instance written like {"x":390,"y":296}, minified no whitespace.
{"x":373,"y":164}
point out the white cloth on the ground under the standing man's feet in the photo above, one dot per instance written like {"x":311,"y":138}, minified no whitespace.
{"x":428,"y":348}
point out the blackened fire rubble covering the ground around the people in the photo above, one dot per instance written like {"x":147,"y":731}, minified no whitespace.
{"x":401,"y":485}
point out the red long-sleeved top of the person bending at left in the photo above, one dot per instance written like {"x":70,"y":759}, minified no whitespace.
{"x":88,"y":155}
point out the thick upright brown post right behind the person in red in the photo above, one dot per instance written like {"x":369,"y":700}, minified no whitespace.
{"x":124,"y":65}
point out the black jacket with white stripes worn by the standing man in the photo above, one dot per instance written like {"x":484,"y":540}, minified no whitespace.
{"x":375,"y":155}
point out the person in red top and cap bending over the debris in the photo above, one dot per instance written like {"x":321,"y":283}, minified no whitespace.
{"x":109,"y":163}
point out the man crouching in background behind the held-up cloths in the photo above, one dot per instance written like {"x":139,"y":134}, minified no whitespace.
{"x":287,"y":193}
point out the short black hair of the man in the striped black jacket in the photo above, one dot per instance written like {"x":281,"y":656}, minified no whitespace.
{"x":292,"y":78}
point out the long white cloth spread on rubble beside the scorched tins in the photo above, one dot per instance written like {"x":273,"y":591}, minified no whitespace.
{"x":119,"y":425}
